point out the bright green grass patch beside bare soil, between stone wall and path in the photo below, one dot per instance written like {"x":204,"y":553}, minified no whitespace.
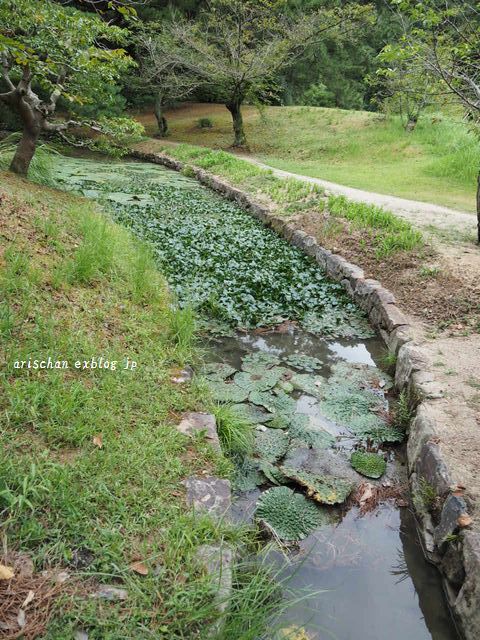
{"x":390,"y":233}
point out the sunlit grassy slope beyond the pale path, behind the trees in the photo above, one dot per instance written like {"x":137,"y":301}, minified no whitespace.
{"x":436,"y":163}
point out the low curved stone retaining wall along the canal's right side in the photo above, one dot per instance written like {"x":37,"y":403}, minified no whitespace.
{"x":443,"y":521}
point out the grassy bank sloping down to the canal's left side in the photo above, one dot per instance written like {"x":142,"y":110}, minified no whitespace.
{"x":74,"y":287}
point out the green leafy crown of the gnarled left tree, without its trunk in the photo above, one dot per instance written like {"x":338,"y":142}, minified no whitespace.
{"x":57,"y":41}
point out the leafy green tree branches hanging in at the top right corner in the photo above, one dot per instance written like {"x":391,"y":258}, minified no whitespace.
{"x":444,"y":42}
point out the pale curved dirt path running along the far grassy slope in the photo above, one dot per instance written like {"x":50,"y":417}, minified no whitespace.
{"x":421,"y":214}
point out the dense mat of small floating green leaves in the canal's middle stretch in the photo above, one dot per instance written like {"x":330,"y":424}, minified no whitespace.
{"x":219,"y":259}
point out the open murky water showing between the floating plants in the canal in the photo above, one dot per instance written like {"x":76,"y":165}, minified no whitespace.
{"x":368,"y":573}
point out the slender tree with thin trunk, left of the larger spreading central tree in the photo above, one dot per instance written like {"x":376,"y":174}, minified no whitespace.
{"x":165,"y":78}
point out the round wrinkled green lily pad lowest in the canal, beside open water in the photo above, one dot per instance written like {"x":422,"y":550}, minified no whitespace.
{"x":288,"y":514}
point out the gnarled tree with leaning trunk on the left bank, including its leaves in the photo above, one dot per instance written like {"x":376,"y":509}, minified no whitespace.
{"x":48,"y":51}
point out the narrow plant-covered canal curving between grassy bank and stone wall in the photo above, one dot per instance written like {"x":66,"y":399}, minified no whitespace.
{"x":287,"y":350}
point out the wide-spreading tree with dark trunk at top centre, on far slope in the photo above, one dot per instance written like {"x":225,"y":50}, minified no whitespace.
{"x":239,"y":46}
